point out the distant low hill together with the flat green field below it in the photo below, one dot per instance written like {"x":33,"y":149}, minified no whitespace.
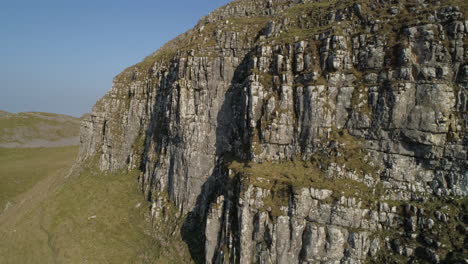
{"x":34,"y":146}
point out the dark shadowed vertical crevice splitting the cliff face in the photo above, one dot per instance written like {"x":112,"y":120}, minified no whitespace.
{"x":230,"y":141}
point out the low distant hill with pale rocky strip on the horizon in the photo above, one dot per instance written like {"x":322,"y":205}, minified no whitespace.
{"x":36,"y":129}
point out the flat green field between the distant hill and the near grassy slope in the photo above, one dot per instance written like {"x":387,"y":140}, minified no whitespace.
{"x":21,"y":169}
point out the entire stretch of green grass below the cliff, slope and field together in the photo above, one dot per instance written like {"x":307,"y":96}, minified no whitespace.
{"x":90,"y":217}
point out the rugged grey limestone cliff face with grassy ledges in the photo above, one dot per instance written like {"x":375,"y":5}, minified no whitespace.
{"x":301,"y":132}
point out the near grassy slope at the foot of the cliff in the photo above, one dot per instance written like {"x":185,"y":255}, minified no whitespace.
{"x":90,"y":218}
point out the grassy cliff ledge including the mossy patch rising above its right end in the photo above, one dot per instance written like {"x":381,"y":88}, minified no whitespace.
{"x":284,"y":177}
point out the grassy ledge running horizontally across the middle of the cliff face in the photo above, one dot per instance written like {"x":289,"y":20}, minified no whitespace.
{"x":290,"y":176}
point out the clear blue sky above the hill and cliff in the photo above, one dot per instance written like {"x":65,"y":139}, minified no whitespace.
{"x":61,"y":55}
